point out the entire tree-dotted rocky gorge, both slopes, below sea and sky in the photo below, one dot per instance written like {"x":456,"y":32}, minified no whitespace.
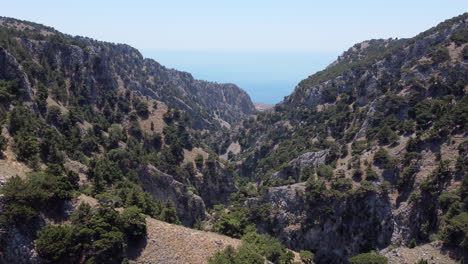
{"x":366,"y":161}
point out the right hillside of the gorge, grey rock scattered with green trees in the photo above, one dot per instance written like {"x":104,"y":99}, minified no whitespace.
{"x":363,"y":155}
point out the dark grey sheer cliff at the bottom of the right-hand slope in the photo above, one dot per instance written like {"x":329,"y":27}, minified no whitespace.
{"x":350,"y":225}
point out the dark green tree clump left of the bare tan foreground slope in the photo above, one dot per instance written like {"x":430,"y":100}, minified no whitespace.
{"x":95,"y":235}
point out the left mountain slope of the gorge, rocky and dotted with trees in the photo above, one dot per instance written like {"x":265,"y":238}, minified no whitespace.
{"x":80,"y":116}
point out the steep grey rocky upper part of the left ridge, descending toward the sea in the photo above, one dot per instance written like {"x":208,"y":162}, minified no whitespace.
{"x":102,"y":66}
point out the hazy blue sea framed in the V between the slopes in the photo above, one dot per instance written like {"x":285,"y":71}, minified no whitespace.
{"x":267,"y":76}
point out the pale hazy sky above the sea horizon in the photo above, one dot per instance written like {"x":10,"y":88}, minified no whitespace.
{"x":245,"y":25}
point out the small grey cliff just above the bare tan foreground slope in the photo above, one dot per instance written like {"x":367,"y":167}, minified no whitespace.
{"x":190,"y":207}
